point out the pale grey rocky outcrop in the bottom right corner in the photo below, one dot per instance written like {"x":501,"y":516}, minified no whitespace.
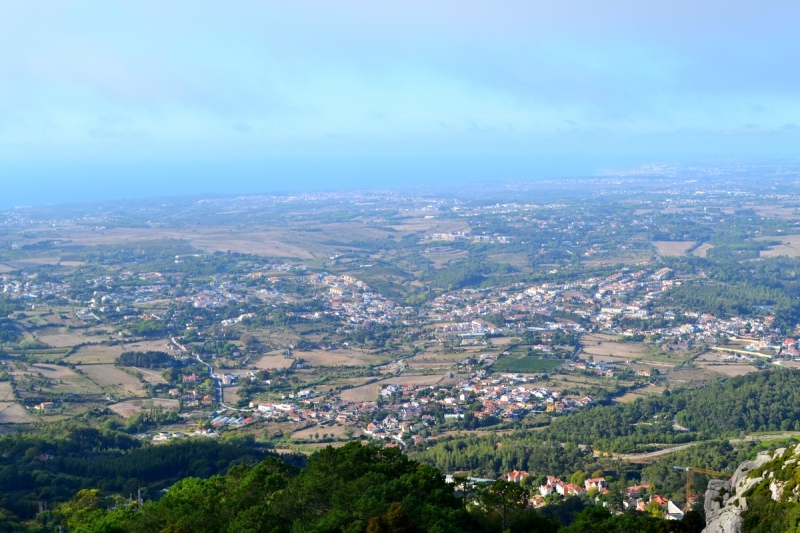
{"x":725,"y":501}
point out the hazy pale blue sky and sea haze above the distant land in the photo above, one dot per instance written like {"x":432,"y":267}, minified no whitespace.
{"x":103,"y":100}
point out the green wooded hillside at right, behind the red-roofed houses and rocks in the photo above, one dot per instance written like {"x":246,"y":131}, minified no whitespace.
{"x":766,"y":401}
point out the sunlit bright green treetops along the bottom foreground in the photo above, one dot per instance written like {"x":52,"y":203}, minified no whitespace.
{"x":355,"y":488}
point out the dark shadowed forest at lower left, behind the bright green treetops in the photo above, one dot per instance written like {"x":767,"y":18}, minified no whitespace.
{"x":57,"y":460}
